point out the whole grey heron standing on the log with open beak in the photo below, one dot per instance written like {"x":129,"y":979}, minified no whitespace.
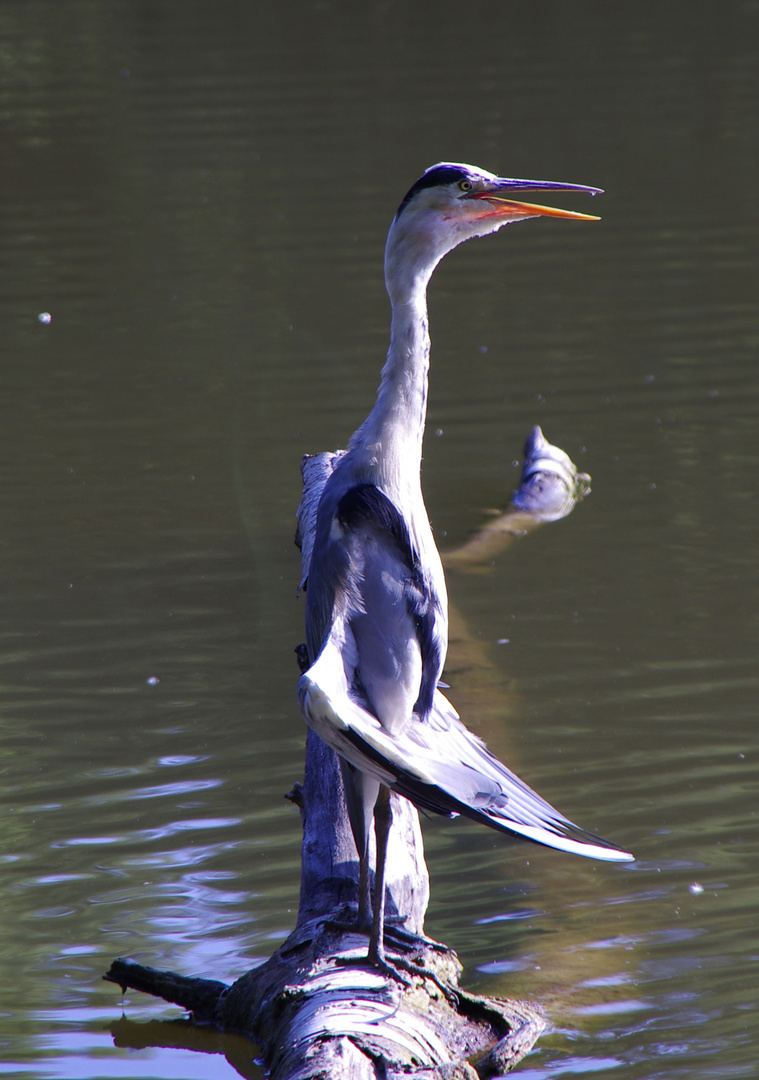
{"x":376,"y":607}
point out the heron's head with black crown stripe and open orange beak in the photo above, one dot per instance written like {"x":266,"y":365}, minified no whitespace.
{"x":451,"y":204}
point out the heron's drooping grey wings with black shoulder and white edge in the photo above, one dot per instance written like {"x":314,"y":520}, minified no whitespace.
{"x":376,"y":641}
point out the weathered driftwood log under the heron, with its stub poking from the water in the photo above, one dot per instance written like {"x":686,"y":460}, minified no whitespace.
{"x":316,"y":1009}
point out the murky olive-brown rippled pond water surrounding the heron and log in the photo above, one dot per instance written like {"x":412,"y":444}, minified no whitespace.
{"x":198,"y":196}
